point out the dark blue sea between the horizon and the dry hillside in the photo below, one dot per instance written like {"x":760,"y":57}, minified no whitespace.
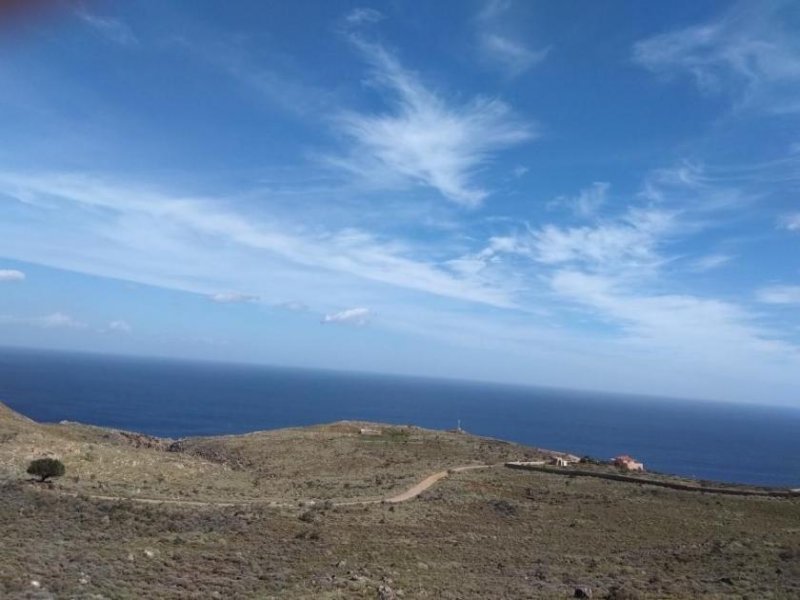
{"x":716,"y":441}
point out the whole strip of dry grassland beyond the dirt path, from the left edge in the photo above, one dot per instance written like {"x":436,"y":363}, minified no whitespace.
{"x":324,"y":462}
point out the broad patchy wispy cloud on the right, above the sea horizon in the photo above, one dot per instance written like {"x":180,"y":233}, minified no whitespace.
{"x":615,"y":272}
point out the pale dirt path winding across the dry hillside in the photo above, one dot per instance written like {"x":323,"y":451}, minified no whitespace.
{"x":409,"y":494}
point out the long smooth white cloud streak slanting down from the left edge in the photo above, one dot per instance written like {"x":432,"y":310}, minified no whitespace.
{"x":136,"y":221}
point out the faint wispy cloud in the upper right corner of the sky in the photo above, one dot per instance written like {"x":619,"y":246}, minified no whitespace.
{"x":750,"y":52}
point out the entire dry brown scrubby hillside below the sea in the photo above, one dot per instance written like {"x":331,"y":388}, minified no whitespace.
{"x":303,"y":513}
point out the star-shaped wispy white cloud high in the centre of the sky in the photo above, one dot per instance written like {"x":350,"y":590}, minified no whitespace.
{"x":424,"y":139}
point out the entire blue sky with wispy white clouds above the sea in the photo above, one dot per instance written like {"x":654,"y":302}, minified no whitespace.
{"x":602,"y":196}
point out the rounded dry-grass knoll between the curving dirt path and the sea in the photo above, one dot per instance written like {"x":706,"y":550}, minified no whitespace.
{"x":335,"y":462}
